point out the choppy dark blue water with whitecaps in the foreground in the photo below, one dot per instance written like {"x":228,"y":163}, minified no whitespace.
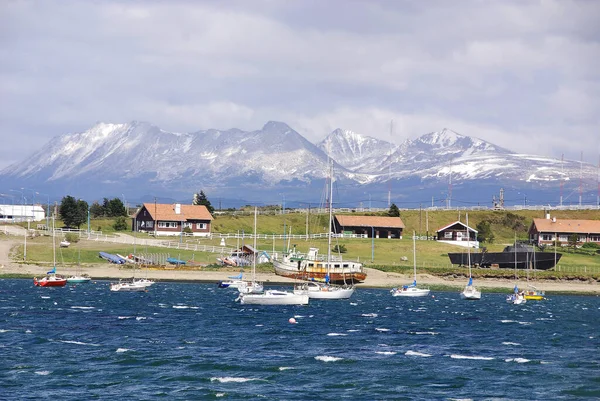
{"x":192,"y":341}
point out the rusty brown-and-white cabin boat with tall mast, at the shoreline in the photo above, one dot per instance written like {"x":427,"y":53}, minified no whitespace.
{"x":314,"y":267}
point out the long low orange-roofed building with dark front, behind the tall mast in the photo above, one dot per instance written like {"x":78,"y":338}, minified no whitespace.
{"x":369,"y":226}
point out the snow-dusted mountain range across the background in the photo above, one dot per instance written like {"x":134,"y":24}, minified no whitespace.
{"x":140,"y":161}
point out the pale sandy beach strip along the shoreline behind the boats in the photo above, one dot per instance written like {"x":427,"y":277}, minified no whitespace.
{"x":375,"y":278}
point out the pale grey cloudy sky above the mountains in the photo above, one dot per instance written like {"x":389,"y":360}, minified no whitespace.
{"x":524,"y":75}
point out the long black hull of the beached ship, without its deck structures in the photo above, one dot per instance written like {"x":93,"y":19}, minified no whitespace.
{"x":506,"y":260}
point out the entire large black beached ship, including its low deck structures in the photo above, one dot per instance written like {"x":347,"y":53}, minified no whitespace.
{"x":505,"y":259}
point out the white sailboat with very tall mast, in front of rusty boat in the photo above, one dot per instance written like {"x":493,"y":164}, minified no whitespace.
{"x":327,"y":290}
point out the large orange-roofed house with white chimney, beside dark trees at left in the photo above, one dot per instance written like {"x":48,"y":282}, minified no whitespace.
{"x":172,"y":219}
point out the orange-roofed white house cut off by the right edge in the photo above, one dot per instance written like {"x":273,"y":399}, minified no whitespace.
{"x":546,"y":231}
